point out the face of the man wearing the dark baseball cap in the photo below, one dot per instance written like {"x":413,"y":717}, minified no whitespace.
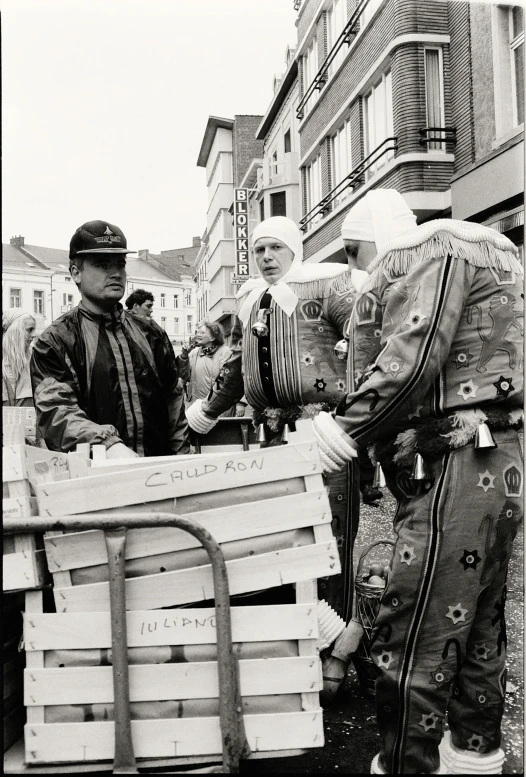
{"x":102,"y":280}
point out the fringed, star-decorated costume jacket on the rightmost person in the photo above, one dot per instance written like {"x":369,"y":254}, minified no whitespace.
{"x":437,"y":333}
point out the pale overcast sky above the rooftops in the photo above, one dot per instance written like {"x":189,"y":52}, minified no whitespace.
{"x":105,"y":104}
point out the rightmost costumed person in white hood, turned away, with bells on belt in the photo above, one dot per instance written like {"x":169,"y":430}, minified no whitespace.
{"x":439,"y":404}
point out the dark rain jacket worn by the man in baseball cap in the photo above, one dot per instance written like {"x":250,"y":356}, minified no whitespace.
{"x":109,"y":378}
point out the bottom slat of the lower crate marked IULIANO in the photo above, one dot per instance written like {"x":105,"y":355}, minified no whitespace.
{"x":79,"y":742}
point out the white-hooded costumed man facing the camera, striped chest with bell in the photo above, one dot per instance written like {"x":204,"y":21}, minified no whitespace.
{"x":292,"y":317}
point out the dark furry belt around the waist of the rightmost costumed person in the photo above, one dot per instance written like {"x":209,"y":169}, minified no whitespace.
{"x":436,"y":437}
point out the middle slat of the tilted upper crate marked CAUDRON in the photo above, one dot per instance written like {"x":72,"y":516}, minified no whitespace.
{"x":227,"y":524}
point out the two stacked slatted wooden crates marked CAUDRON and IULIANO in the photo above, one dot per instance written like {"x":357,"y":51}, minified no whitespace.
{"x":269,"y":511}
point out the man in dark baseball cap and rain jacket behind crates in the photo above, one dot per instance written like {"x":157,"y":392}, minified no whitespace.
{"x":101,"y":375}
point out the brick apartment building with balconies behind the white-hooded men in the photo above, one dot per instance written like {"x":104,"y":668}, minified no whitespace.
{"x":424,"y":97}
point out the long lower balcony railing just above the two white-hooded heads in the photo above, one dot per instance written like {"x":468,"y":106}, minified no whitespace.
{"x":356,"y":178}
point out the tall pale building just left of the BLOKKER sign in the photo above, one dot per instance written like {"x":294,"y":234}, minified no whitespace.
{"x":227,"y":151}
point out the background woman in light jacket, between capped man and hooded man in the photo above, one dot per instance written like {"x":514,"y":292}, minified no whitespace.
{"x":206,"y":360}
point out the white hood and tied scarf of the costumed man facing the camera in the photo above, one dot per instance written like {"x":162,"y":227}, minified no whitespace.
{"x":285,"y":230}
